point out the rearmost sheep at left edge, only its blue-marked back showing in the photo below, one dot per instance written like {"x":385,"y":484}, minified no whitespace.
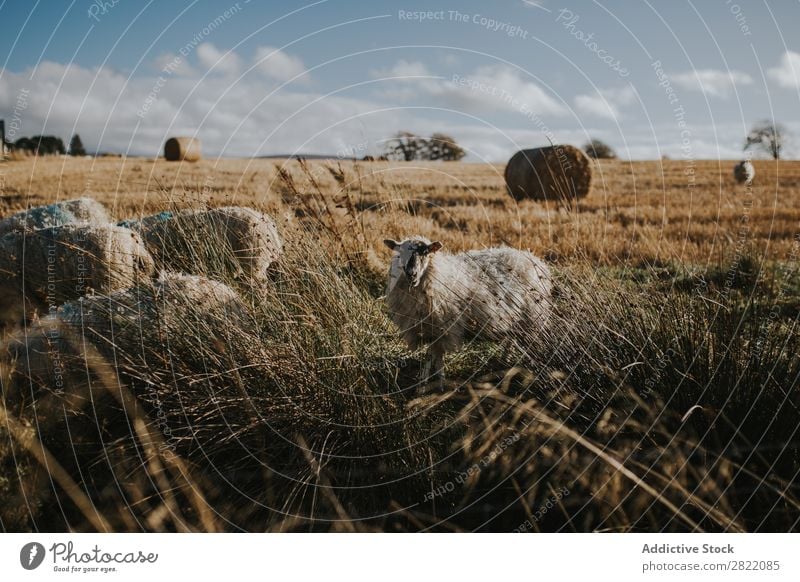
{"x":78,"y":211}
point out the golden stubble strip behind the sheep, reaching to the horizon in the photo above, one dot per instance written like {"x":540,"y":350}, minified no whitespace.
{"x":641,"y":212}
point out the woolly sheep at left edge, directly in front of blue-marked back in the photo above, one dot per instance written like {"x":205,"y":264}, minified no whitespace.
{"x":58,"y":264}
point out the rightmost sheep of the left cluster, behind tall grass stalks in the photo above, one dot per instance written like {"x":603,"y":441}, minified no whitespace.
{"x":230,"y":242}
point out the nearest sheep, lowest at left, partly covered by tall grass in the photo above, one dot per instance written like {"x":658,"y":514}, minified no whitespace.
{"x":144,"y":330}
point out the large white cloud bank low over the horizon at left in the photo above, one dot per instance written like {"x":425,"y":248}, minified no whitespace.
{"x":228,"y":115}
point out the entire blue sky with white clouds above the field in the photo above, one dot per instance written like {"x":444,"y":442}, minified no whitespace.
{"x":651,"y":78}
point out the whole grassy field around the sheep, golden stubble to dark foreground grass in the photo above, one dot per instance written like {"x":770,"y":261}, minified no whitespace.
{"x":664,"y":398}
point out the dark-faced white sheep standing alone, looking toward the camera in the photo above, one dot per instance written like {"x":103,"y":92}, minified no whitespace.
{"x":438,"y":299}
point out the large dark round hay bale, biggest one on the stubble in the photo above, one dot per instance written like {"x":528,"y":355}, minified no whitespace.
{"x":559,"y":173}
